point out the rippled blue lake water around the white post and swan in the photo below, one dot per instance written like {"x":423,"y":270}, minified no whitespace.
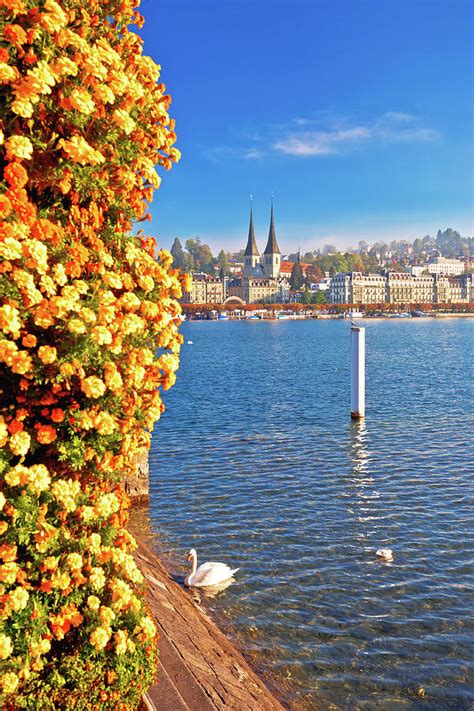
{"x":256,"y":463}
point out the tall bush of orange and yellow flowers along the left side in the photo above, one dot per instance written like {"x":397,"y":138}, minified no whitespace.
{"x":88,"y":335}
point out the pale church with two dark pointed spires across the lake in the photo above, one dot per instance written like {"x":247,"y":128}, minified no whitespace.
{"x":261,"y":280}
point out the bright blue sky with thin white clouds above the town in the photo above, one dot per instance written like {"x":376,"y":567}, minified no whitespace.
{"x":356,"y":114}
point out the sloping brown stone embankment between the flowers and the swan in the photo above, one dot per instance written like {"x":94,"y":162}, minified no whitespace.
{"x":199,"y":668}
